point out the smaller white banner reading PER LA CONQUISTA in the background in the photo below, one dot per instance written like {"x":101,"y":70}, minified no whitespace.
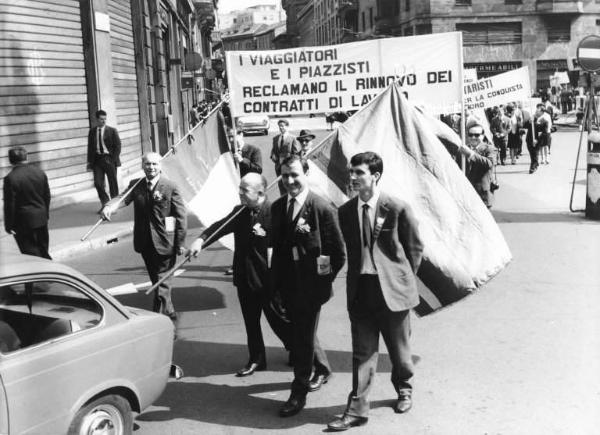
{"x":499,"y":89}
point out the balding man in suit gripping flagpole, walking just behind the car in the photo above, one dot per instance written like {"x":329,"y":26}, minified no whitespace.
{"x":159,"y":229}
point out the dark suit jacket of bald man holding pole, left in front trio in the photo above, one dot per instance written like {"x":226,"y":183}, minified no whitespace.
{"x":252,"y":234}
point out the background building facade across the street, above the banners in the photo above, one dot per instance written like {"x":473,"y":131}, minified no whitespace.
{"x":498,"y":35}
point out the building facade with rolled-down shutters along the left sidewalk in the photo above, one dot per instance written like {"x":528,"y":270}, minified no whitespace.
{"x":63,"y":60}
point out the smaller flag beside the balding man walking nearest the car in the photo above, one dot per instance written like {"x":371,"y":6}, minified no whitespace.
{"x":206,"y":173}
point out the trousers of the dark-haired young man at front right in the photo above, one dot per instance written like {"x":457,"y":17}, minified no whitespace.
{"x":369,"y":317}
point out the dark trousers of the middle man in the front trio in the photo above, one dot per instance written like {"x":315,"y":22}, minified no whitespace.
{"x":306,"y":350}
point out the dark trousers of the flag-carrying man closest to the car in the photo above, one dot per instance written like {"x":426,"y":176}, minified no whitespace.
{"x":157,"y":265}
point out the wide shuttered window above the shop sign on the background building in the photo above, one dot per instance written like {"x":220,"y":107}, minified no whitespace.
{"x":490,"y":33}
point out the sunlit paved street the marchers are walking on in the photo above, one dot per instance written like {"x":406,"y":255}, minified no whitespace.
{"x":521,"y":356}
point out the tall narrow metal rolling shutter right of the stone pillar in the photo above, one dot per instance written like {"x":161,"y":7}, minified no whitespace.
{"x":125,"y":84}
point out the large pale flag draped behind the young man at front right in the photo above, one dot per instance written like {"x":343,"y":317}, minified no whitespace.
{"x":464,"y":247}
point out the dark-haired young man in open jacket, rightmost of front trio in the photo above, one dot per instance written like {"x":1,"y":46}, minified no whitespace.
{"x":384,"y":253}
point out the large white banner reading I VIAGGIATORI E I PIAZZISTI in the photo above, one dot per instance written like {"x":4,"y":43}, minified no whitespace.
{"x":346,"y":76}
